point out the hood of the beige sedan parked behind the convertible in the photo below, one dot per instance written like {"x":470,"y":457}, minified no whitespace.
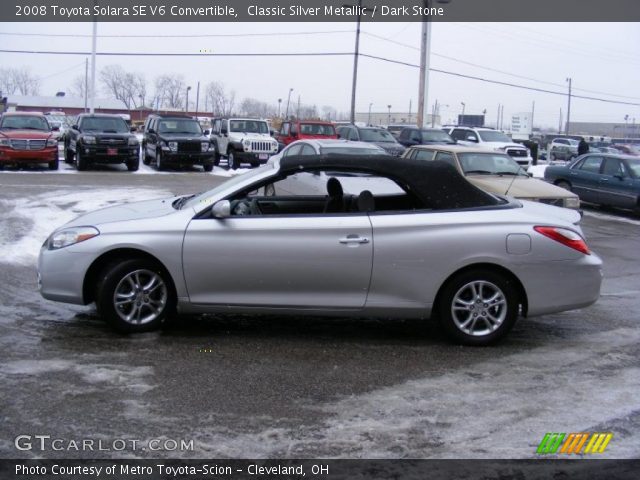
{"x":520,"y":187}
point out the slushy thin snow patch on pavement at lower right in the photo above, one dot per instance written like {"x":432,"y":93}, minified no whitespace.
{"x":489,"y":409}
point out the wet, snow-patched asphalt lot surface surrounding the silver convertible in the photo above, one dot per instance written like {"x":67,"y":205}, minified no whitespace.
{"x":257,"y":386}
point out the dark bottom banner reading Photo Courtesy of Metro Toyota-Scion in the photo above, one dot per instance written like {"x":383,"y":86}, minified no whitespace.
{"x":320,"y":469}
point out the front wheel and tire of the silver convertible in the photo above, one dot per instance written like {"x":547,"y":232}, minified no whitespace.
{"x":135,"y":295}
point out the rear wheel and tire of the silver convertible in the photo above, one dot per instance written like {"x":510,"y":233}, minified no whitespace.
{"x":478,"y":307}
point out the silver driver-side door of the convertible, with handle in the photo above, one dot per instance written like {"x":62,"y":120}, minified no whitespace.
{"x":279,"y":261}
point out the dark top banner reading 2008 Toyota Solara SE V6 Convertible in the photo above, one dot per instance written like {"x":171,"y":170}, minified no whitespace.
{"x":319,"y":10}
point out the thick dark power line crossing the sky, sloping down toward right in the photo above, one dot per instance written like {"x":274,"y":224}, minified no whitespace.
{"x":318,"y":54}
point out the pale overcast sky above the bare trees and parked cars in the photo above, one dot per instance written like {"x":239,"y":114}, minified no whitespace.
{"x":601,"y":58}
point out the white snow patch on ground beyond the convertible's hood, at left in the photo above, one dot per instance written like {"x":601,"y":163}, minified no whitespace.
{"x":27,"y":222}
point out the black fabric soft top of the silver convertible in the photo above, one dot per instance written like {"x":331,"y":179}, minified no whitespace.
{"x":437,"y":184}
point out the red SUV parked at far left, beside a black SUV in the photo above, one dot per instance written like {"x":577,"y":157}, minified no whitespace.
{"x":27,"y":138}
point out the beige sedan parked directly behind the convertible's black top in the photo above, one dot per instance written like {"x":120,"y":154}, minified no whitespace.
{"x":495,"y":172}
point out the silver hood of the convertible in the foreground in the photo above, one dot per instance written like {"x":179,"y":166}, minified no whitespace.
{"x":125,"y":212}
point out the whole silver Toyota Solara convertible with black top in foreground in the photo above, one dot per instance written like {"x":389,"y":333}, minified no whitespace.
{"x":433,"y":245}
